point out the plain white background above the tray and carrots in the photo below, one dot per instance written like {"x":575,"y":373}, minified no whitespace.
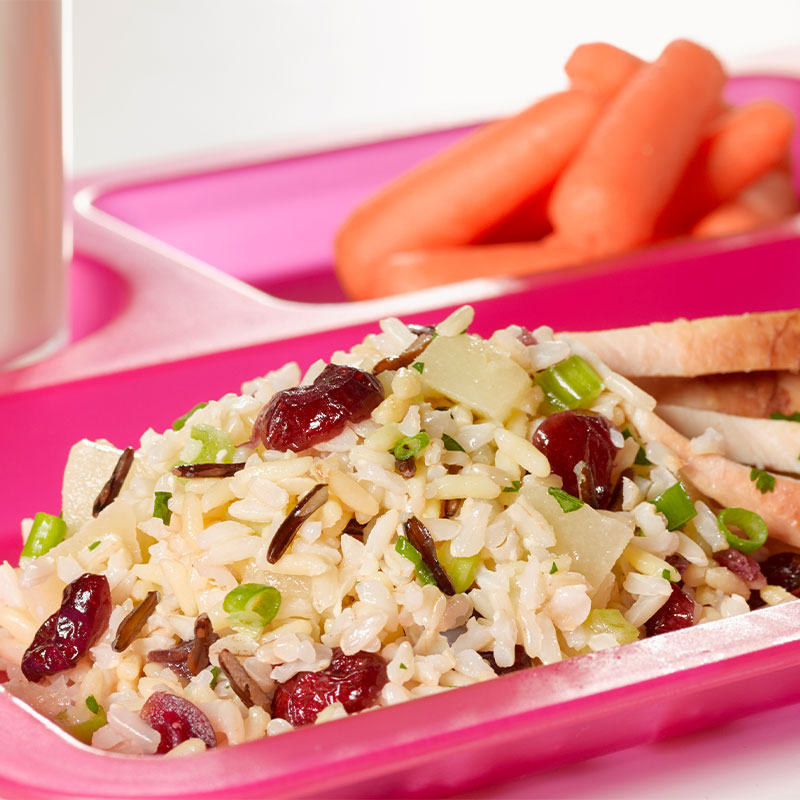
{"x":157,"y":78}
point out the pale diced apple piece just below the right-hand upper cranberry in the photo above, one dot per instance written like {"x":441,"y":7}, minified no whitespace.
{"x":594,"y":540}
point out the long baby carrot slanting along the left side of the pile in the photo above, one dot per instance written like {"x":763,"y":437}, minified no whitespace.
{"x":462,"y":193}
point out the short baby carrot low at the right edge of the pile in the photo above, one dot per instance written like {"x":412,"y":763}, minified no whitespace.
{"x":771,"y":199}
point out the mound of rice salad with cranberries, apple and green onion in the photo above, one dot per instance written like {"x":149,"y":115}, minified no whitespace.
{"x":490,"y":507}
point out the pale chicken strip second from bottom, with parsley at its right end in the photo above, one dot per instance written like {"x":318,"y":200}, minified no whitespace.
{"x":763,"y":443}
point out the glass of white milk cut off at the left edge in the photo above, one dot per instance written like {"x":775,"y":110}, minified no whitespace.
{"x":35,"y":237}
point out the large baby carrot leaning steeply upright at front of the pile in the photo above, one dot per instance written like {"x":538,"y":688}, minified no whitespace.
{"x":608,"y":199}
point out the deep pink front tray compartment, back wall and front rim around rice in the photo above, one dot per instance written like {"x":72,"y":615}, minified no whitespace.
{"x":521,"y":723}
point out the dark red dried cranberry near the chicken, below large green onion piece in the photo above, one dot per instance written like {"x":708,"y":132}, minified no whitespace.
{"x":580,"y":451}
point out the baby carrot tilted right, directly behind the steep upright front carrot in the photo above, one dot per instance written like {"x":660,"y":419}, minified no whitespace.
{"x":742,"y":145}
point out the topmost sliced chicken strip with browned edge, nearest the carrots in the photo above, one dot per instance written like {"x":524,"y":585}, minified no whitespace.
{"x":713,"y":345}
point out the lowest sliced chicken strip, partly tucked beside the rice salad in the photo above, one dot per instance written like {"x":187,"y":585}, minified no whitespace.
{"x":727,"y":482}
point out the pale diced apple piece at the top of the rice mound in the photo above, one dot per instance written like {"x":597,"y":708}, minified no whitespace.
{"x":471,"y":371}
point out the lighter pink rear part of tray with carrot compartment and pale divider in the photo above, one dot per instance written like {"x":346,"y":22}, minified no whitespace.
{"x":174,"y":238}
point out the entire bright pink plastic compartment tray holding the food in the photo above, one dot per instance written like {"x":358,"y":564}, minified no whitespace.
{"x":141,"y":357}
